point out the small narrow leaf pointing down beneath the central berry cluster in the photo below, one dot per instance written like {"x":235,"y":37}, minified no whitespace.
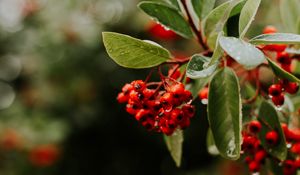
{"x":174,"y":145}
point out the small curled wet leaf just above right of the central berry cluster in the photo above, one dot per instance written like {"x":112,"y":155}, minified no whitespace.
{"x":196,"y":67}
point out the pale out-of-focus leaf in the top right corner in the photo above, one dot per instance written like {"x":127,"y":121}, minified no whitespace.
{"x":289,"y":11}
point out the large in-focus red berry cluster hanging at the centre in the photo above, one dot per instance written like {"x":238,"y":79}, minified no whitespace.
{"x":160,"y":110}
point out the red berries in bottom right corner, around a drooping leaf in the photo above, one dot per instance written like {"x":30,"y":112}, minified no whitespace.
{"x":256,"y":154}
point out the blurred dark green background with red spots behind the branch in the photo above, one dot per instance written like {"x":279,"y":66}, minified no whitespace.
{"x":58,"y":89}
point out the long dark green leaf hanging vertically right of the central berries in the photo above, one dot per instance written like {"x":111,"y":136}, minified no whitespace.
{"x":225,"y":114}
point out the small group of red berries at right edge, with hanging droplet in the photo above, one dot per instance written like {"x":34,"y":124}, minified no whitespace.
{"x":276,"y":91}
